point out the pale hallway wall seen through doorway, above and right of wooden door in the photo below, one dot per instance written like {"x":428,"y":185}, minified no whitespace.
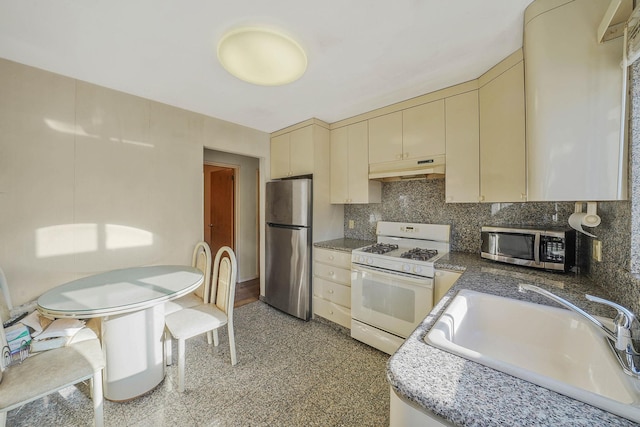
{"x":247,"y":240}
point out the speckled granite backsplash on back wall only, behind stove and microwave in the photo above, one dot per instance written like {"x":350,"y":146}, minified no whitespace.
{"x":424,"y":202}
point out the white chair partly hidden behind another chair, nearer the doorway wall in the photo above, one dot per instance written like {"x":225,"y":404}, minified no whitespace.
{"x":201,"y":259}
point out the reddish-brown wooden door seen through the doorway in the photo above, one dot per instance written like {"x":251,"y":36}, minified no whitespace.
{"x":219,"y":207}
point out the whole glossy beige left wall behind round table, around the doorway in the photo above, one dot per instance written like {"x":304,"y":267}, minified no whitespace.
{"x":92,"y":179}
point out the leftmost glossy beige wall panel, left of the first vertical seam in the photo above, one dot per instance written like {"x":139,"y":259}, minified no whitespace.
{"x":36,"y":178}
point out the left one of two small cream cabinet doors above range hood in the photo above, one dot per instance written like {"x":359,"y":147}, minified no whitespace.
{"x":385,"y":138}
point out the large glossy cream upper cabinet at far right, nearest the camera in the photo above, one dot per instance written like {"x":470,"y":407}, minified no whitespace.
{"x":576,"y":149}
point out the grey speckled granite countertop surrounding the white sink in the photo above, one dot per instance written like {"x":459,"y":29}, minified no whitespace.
{"x":466,"y":393}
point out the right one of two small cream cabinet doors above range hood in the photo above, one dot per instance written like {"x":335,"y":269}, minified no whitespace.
{"x":423,"y":130}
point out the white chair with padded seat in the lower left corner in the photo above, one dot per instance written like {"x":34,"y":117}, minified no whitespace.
{"x":50,"y":371}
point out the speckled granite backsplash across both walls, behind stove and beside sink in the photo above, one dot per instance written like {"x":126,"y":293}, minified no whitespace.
{"x":424,"y":202}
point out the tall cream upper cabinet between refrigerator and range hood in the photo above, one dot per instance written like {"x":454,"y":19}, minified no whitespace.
{"x":350,"y":167}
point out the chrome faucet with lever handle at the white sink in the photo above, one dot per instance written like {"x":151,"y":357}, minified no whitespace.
{"x":622,"y":339}
